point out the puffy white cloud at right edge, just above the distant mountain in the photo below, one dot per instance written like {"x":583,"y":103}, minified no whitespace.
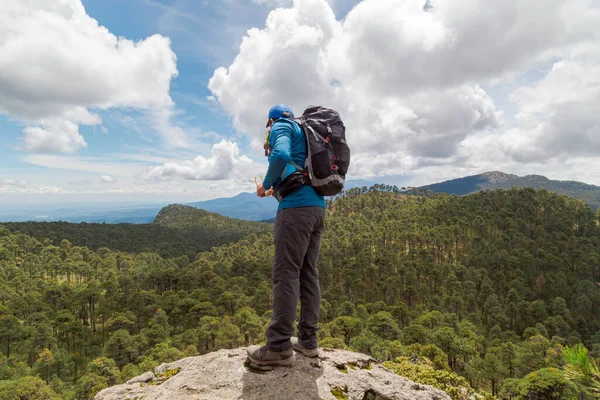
{"x":558,"y":116}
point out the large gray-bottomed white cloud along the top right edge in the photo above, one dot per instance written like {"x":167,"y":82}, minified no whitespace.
{"x":397,"y":46}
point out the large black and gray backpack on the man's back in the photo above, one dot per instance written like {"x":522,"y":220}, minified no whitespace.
{"x":327,"y":157}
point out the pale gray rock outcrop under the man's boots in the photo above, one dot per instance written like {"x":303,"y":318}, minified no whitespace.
{"x":225,"y":374}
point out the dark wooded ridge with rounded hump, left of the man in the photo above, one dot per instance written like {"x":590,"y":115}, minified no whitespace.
{"x":176,"y":231}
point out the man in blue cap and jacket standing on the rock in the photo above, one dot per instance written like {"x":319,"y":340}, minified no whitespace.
{"x":297,"y":234}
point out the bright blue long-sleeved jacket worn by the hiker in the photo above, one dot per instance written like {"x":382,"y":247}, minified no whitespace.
{"x":289,"y":146}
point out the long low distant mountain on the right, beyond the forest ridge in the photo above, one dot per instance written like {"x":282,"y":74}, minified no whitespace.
{"x":500,"y":180}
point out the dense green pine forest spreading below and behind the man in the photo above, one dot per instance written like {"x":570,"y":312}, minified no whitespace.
{"x":495,"y":293}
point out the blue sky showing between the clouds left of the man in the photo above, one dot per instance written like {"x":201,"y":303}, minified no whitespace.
{"x":204,"y":35}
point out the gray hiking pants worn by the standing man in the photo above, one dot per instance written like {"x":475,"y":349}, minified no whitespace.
{"x":297,"y":234}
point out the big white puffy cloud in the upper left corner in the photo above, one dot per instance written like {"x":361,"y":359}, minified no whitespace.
{"x":59,"y":65}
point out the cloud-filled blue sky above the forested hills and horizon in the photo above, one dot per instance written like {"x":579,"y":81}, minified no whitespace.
{"x":148,"y":101}
